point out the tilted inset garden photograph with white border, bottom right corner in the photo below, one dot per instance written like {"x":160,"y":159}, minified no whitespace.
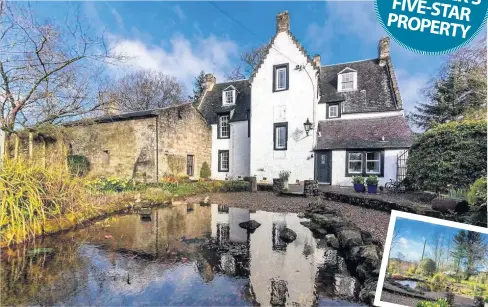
{"x":430,"y":262}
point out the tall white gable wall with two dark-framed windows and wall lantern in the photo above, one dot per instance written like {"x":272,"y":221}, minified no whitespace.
{"x":294,"y":106}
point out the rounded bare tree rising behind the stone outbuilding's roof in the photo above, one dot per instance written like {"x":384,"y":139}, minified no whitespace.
{"x":146,"y":89}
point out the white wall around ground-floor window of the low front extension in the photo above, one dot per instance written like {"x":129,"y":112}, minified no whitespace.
{"x":339,"y":167}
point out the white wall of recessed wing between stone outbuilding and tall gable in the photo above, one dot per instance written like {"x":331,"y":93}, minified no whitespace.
{"x":238,"y":146}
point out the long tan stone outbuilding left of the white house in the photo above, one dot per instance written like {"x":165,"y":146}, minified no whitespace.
{"x":144,"y":145}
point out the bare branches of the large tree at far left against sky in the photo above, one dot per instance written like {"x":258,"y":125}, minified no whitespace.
{"x":48,"y":70}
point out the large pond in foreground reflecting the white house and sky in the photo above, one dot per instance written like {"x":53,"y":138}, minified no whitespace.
{"x":180,"y":255}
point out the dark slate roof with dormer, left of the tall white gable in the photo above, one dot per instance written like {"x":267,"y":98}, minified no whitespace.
{"x":211,"y":104}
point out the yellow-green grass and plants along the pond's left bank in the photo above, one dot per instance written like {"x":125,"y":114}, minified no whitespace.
{"x":37,"y":200}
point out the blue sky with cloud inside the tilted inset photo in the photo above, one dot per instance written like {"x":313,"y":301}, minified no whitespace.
{"x":412,"y":235}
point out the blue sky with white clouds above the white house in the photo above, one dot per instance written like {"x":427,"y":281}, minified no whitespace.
{"x":182,"y":38}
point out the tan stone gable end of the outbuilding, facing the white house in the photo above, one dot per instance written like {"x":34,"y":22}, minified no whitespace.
{"x":182,"y":132}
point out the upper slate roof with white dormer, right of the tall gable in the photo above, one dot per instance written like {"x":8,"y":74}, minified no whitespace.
{"x":374,"y":92}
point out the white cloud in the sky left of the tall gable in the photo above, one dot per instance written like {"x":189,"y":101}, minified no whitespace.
{"x":181,"y":58}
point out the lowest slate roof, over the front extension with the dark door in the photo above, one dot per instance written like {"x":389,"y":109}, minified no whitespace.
{"x":364,"y":133}
